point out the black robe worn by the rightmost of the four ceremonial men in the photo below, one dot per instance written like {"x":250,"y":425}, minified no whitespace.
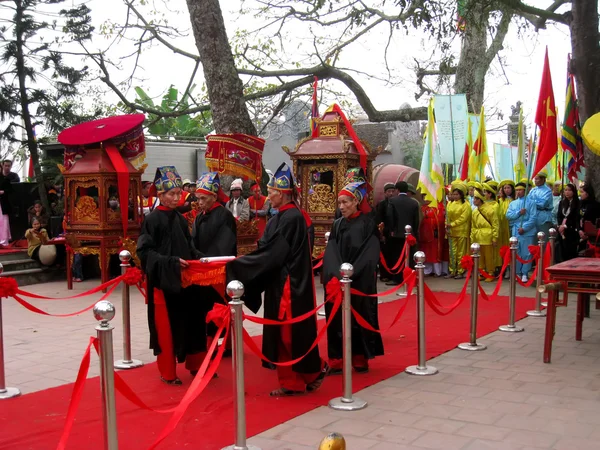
{"x":355,"y":241}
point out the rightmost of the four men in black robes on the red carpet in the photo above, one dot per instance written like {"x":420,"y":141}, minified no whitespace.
{"x":354,"y":239}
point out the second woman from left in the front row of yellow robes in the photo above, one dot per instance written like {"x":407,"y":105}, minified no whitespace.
{"x":485,"y":228}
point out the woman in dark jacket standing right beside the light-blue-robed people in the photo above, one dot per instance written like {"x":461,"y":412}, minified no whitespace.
{"x":568,"y":224}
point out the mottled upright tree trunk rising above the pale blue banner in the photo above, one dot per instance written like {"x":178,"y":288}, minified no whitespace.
{"x":472,"y":64}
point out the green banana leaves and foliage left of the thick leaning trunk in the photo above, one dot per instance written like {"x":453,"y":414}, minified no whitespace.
{"x":177,"y":126}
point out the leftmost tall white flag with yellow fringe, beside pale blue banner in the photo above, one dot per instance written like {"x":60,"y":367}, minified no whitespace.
{"x":431,"y":177}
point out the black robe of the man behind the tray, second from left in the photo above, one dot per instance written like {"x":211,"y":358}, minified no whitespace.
{"x":214,"y":234}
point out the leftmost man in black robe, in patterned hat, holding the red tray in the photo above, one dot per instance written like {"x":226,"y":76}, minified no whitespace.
{"x":175,"y":315}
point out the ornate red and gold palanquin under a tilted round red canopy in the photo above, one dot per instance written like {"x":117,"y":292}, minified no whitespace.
{"x":102,"y":188}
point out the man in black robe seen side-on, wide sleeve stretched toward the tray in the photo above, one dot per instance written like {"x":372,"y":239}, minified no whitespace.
{"x":281,"y":267}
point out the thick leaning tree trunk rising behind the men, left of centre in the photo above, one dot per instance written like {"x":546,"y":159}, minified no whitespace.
{"x":225,"y":89}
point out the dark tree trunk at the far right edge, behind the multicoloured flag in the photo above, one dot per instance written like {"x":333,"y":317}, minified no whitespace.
{"x":586,"y":68}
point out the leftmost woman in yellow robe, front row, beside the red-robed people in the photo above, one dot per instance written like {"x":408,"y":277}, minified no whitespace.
{"x":458,"y":224}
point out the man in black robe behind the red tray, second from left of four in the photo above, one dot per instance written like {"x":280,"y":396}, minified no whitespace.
{"x":214,"y":234}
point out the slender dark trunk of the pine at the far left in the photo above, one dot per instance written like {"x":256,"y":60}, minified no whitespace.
{"x":25,"y":101}
